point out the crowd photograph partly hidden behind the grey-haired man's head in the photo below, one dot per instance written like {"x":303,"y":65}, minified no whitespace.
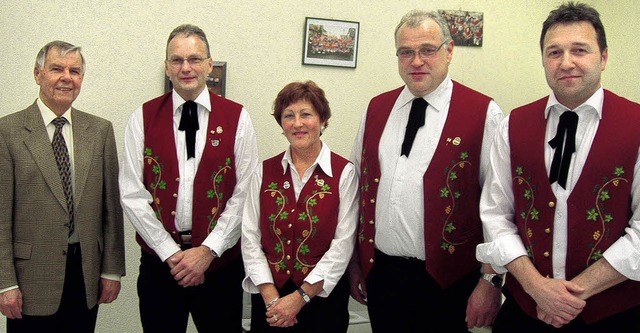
{"x":465,"y":27}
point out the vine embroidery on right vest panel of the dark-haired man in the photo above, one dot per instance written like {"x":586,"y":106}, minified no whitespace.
{"x":598,"y":215}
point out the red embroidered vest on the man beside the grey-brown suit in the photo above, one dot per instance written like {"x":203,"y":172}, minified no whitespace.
{"x":215,"y":178}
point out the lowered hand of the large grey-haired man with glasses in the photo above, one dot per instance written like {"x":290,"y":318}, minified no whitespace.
{"x":483,"y":305}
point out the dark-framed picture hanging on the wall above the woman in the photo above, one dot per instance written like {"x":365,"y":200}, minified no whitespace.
{"x":330,"y":42}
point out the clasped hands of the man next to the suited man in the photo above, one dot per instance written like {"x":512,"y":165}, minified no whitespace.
{"x":189,"y":271}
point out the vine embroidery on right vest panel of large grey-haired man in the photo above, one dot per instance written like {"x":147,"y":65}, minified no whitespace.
{"x":450,"y":191}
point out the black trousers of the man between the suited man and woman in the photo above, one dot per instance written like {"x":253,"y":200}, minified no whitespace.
{"x":215,"y":305}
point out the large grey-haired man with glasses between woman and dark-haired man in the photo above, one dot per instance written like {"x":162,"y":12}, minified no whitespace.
{"x":422,"y":150}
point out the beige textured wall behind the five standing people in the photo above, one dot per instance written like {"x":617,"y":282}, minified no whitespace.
{"x":124,"y":43}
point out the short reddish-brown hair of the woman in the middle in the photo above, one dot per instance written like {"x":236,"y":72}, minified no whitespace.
{"x":302,"y":91}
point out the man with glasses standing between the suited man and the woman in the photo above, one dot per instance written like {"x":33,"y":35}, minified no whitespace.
{"x":187,"y":157}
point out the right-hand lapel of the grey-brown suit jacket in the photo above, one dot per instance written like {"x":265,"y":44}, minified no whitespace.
{"x":83,"y":146}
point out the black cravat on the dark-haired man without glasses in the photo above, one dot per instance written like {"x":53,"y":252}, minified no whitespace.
{"x":562,"y":157}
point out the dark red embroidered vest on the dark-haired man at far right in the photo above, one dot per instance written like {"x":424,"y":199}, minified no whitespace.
{"x":598,"y":207}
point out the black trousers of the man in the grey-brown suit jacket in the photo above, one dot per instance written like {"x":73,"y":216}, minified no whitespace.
{"x":73,"y":316}
